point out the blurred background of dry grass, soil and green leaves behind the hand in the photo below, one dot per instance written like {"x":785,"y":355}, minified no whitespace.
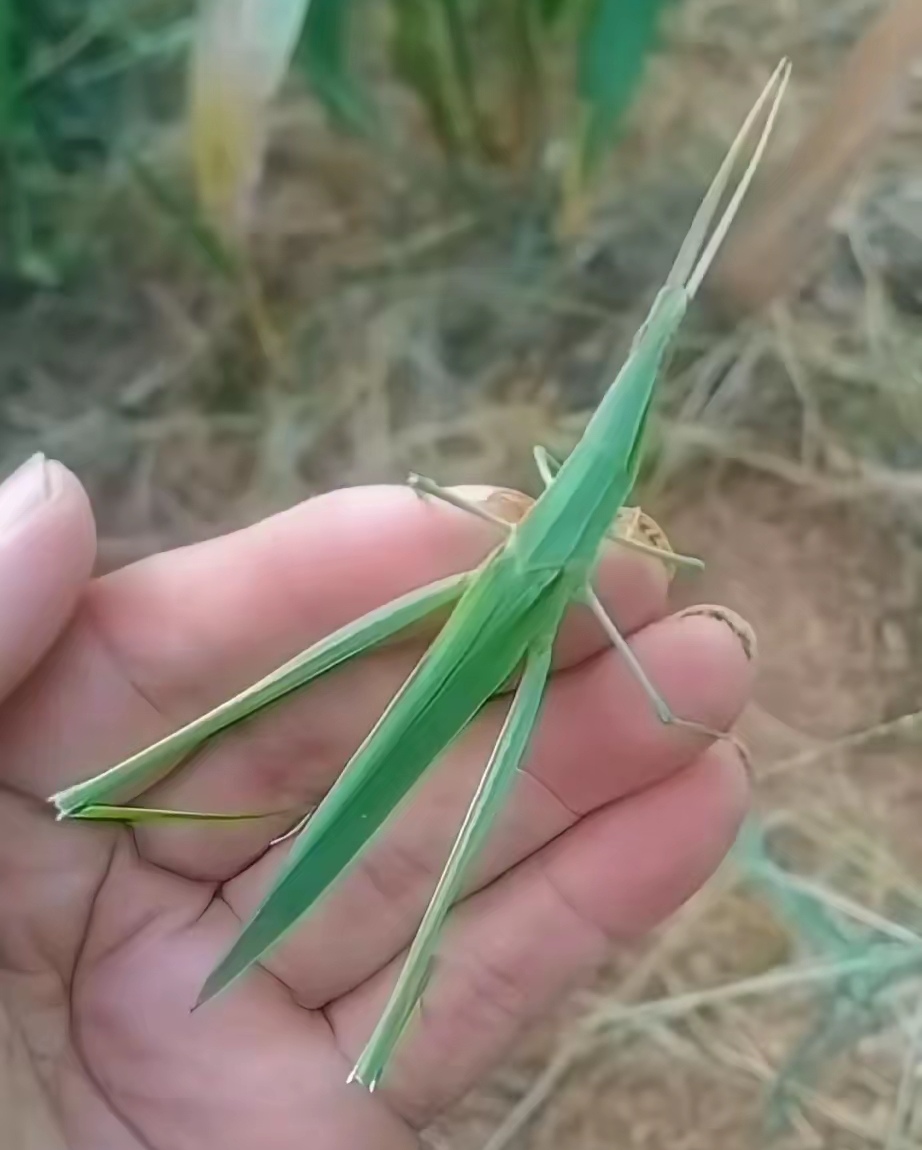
{"x":433,"y":255}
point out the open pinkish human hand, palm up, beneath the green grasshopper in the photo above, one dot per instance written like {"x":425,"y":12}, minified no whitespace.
{"x":106,"y":934}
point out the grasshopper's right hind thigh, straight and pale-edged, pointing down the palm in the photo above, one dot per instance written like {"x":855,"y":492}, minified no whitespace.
{"x":491,"y":794}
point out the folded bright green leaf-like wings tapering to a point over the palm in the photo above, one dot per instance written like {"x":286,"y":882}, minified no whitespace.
{"x":478,"y":651}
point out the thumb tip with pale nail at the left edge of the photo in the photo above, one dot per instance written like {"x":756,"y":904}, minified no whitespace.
{"x":48,"y":548}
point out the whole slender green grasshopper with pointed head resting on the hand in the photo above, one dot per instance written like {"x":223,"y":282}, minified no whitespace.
{"x":504,"y":622}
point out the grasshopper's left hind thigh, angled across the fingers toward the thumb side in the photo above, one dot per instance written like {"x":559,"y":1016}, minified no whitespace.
{"x":128,"y":779}
